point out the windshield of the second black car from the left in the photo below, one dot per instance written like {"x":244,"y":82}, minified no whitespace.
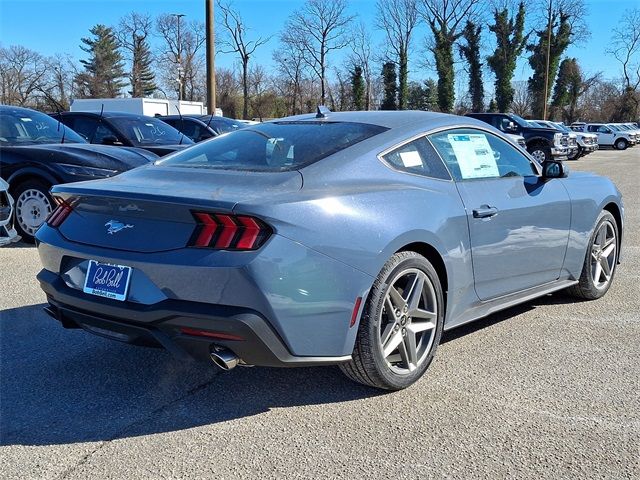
{"x":145,"y":131}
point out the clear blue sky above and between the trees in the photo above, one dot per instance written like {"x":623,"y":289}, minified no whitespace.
{"x":56,"y":26}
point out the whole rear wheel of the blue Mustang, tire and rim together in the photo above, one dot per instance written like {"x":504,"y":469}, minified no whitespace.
{"x":401,"y":325}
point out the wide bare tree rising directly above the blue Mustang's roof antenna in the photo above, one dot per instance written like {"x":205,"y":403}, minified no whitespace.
{"x":317,"y":29}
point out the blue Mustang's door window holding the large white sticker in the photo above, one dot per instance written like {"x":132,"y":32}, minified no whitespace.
{"x":473,"y":154}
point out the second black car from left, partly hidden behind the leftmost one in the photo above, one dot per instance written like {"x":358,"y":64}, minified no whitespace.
{"x":125,"y":129}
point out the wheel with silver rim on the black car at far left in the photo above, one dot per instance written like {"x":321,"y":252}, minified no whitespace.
{"x":33,"y":206}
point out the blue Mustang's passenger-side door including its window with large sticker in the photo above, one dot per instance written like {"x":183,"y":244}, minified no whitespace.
{"x":518,"y":222}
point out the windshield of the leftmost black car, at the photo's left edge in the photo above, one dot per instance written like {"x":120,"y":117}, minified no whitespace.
{"x":28,"y":127}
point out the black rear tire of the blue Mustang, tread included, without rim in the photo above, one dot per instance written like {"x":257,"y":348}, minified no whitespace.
{"x":368,"y":365}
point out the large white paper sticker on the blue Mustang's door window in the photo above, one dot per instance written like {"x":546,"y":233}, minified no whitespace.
{"x":474,"y":154}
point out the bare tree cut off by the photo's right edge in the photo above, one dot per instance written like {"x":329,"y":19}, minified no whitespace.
{"x":625,"y":47}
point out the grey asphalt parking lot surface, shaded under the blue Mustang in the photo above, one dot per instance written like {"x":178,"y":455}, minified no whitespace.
{"x":550,"y":389}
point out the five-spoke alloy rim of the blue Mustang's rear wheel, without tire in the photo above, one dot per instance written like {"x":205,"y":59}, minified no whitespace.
{"x":408,"y":320}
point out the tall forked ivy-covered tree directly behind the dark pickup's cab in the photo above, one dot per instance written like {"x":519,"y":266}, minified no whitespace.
{"x":510,"y":42}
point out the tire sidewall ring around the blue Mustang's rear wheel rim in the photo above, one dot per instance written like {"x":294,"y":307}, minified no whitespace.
{"x":373,"y":310}
